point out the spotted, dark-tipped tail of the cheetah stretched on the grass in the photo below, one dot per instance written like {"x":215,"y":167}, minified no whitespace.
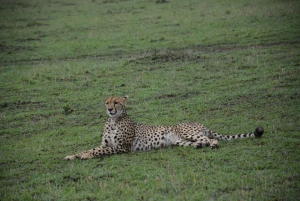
{"x":257,"y":133}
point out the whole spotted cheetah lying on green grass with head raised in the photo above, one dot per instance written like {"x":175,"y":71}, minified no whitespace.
{"x":122,"y":135}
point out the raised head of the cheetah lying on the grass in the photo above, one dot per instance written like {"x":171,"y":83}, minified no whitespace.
{"x":115,"y":106}
